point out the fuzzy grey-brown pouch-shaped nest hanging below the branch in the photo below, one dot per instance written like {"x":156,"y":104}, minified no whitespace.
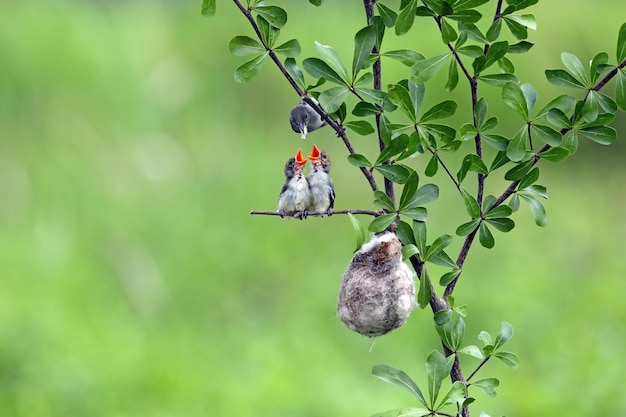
{"x":377,"y":290}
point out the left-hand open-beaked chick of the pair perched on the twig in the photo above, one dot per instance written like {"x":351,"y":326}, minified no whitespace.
{"x":295,"y":196}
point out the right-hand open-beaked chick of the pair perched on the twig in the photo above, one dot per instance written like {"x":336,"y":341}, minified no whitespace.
{"x":320,"y":184}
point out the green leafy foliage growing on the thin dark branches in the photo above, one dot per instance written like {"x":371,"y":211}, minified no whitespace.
{"x":417,"y":141}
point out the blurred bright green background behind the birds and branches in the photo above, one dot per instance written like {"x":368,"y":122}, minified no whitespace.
{"x":134,"y":282}
